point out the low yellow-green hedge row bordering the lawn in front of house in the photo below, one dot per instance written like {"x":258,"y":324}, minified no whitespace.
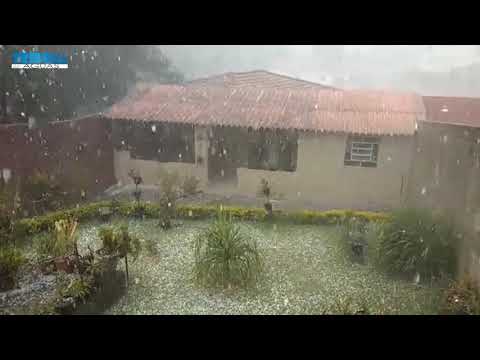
{"x":92,"y":211}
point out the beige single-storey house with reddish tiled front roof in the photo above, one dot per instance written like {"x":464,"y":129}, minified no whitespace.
{"x":326,"y":147}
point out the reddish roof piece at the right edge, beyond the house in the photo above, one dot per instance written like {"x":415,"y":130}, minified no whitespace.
{"x":453,"y":110}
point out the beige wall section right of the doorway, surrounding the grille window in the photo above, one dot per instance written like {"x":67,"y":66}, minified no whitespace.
{"x":322,"y":178}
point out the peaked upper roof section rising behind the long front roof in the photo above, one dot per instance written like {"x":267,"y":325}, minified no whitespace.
{"x":257,"y":78}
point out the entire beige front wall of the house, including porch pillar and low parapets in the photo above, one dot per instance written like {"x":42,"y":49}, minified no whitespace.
{"x":321,"y":177}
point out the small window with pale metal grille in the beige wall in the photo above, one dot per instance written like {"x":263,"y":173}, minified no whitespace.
{"x":361,"y":151}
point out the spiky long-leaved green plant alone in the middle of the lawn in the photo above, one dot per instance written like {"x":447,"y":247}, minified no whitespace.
{"x":224,"y":257}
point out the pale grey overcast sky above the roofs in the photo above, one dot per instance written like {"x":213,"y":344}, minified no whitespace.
{"x":421,"y":68}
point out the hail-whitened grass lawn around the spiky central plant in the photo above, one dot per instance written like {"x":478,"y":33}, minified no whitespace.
{"x":307,"y":271}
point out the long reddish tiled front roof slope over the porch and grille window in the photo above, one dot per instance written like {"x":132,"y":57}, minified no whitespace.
{"x":362,"y":112}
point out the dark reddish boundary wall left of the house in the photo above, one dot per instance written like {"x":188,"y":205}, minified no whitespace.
{"x":79,"y":150}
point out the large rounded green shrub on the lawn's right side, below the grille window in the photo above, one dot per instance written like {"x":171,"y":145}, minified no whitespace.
{"x":416,"y":242}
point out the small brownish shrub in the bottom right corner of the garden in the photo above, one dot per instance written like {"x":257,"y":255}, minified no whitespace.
{"x":461,"y":298}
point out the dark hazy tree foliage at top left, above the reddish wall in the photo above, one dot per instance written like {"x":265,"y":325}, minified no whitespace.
{"x":98,"y":75}
